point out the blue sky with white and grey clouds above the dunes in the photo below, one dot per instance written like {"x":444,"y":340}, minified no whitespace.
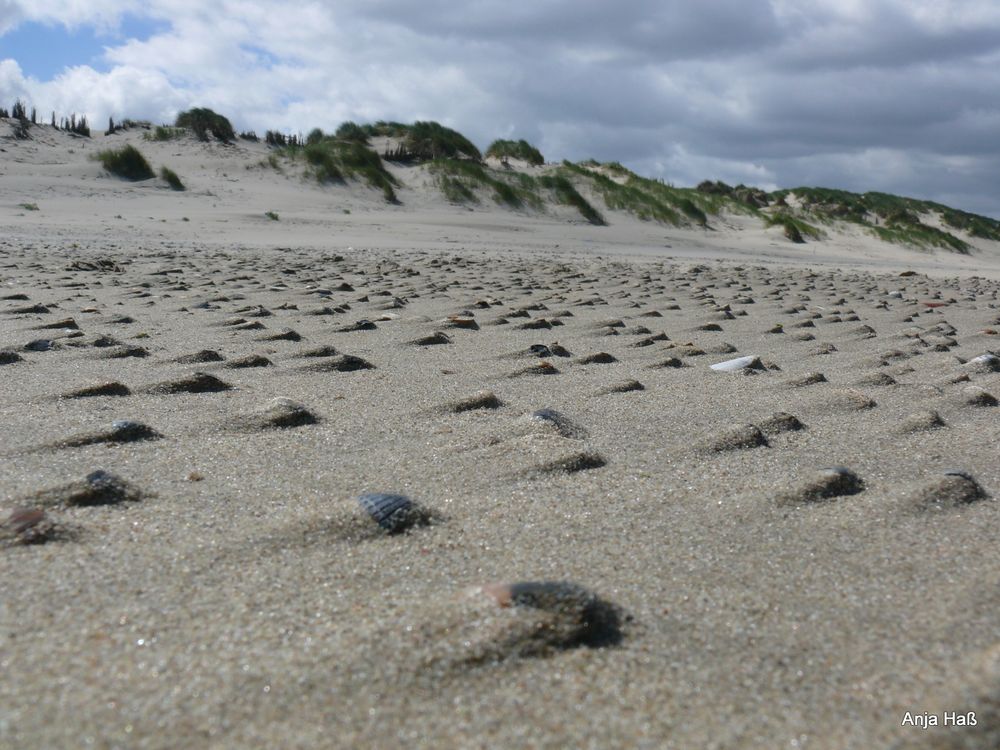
{"x":895,"y":95}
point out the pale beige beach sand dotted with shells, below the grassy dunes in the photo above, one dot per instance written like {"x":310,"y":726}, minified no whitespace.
{"x":795,"y":554}
